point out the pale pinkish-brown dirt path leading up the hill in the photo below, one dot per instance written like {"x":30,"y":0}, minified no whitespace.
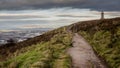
{"x":83,"y":55}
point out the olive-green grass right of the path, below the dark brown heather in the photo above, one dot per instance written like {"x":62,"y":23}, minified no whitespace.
{"x":106,"y":45}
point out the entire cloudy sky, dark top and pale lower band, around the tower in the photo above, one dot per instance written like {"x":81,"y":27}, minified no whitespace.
{"x":30,"y":14}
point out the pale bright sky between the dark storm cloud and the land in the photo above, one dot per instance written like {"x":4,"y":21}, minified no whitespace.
{"x":12,"y":20}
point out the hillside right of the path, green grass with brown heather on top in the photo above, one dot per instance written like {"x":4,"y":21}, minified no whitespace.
{"x":104,"y":36}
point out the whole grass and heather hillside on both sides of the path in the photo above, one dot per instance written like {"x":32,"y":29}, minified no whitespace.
{"x":49,"y":50}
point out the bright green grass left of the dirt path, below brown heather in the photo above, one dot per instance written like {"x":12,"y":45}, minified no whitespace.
{"x":50,"y":54}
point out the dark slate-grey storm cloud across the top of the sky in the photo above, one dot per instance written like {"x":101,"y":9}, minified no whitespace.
{"x":110,"y":5}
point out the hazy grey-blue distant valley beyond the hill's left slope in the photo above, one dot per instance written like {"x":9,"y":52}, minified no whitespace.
{"x":20,"y":35}
